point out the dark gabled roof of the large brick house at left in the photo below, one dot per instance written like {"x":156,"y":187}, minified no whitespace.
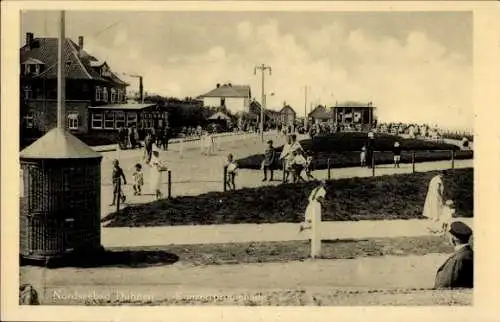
{"x":77,"y":61}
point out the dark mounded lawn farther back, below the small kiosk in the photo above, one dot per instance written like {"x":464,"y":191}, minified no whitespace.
{"x":343,"y":150}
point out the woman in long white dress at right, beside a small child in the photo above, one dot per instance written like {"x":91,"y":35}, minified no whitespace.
{"x":433,"y":206}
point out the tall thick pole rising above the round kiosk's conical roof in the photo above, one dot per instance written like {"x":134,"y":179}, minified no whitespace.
{"x":61,"y":88}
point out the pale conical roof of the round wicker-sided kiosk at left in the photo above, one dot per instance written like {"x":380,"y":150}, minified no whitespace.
{"x":58,"y":144}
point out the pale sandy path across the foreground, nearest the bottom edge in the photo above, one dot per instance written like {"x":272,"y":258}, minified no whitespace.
{"x":184,"y":280}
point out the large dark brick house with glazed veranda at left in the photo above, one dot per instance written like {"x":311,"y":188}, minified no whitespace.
{"x":96,"y":98}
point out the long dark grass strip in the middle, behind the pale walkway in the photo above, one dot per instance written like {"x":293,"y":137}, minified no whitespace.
{"x":399,"y":196}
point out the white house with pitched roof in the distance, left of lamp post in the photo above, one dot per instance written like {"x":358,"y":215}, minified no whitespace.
{"x":235,"y":98}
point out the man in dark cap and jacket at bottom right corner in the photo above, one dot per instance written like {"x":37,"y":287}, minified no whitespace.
{"x":458,"y":270}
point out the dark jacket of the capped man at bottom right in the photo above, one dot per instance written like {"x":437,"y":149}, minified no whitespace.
{"x":457,"y":271}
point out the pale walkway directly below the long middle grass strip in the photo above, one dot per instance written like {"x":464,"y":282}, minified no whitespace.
{"x":331,"y":230}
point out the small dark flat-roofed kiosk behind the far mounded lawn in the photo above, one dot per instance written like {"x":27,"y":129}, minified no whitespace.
{"x":355,"y":114}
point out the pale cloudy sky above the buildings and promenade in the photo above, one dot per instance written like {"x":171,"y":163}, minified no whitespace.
{"x":414,"y":66}
